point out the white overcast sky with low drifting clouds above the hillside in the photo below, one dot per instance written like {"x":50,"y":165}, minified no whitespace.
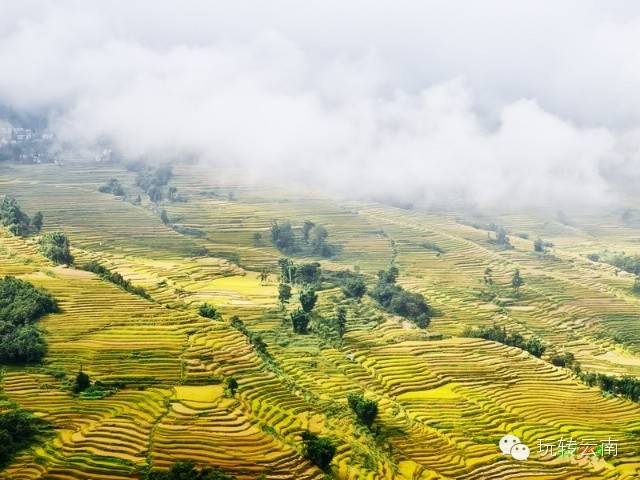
{"x":527,"y":102}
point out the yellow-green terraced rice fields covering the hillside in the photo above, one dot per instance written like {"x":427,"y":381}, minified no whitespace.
{"x":445,"y":400}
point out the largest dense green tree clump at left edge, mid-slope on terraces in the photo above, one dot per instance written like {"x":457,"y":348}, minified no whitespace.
{"x":21,"y":305}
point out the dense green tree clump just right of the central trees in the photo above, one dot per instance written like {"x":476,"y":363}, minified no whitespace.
{"x":395,"y":299}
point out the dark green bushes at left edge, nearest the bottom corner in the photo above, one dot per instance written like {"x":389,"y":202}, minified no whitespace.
{"x":18,"y":430}
